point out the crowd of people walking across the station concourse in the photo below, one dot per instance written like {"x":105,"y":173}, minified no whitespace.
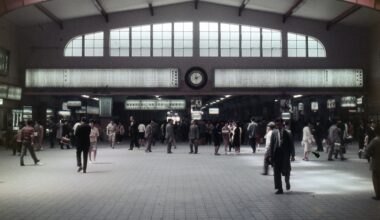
{"x":276,"y":137}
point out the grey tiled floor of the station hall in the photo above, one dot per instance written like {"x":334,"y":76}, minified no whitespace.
{"x":126,"y":184}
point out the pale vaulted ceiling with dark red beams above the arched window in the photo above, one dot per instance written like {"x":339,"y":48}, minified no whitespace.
{"x":25,"y":13}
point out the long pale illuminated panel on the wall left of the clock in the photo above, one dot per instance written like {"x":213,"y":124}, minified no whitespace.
{"x":101,"y":78}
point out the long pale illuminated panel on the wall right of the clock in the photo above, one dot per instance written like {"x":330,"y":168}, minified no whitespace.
{"x":288,"y":78}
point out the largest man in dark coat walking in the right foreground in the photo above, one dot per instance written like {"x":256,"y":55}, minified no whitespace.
{"x":281,"y":147}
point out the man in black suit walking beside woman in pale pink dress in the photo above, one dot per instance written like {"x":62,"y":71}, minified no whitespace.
{"x":82,"y":135}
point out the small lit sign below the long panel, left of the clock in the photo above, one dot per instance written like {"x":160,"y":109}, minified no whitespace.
{"x":152,"y":104}
